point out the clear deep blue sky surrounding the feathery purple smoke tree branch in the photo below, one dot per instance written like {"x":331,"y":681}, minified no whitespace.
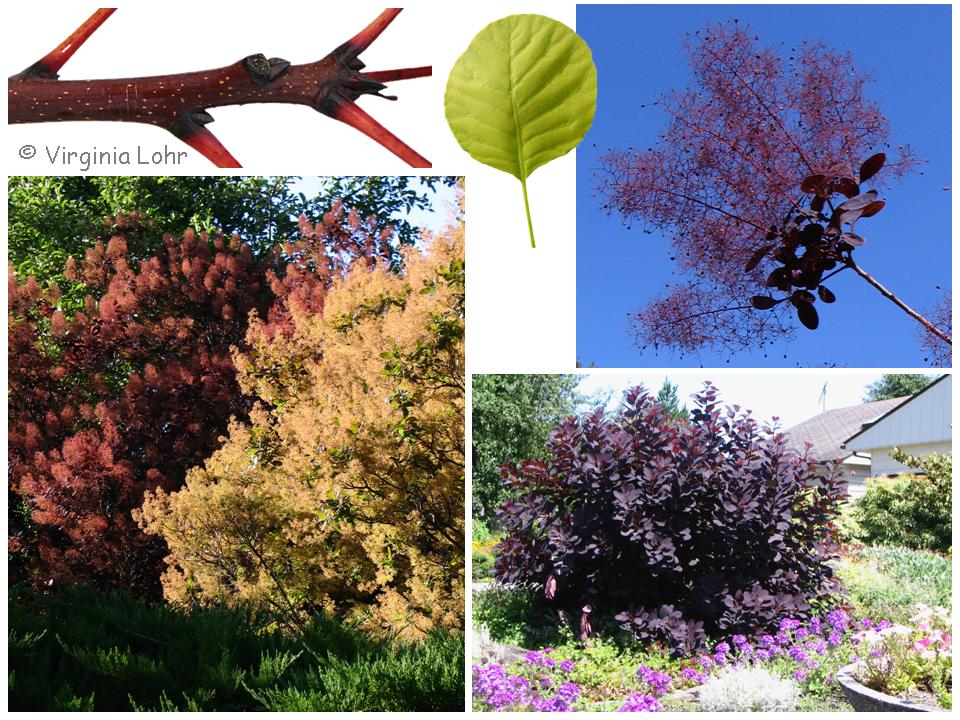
{"x":638,"y":52}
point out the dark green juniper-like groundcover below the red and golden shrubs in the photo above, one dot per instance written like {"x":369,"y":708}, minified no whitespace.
{"x":81,"y":650}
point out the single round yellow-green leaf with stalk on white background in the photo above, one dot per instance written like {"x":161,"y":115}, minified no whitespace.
{"x":524,"y":93}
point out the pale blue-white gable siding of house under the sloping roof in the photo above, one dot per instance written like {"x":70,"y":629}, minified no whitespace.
{"x":924,"y":420}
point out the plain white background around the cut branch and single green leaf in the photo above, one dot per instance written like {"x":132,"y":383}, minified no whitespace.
{"x":521,"y":304}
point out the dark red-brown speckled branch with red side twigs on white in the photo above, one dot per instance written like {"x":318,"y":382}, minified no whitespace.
{"x":179,"y":103}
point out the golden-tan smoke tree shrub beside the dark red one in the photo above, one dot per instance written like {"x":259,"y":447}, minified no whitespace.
{"x":344,"y":493}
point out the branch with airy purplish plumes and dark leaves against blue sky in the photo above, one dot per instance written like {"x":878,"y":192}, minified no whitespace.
{"x":750,"y":127}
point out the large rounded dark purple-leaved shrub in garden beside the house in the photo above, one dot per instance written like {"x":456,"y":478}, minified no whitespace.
{"x":680,"y":529}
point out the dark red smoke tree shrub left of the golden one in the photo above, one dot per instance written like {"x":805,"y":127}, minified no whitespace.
{"x":126,"y":395}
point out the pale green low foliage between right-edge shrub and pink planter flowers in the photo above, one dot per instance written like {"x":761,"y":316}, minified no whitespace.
{"x":886,"y":582}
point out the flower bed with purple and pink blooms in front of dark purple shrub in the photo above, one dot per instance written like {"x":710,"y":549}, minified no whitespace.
{"x":810,"y":654}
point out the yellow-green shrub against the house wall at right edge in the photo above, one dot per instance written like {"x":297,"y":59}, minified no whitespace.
{"x":909,"y":510}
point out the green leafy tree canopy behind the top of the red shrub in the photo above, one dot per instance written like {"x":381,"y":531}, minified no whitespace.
{"x":53,"y":218}
